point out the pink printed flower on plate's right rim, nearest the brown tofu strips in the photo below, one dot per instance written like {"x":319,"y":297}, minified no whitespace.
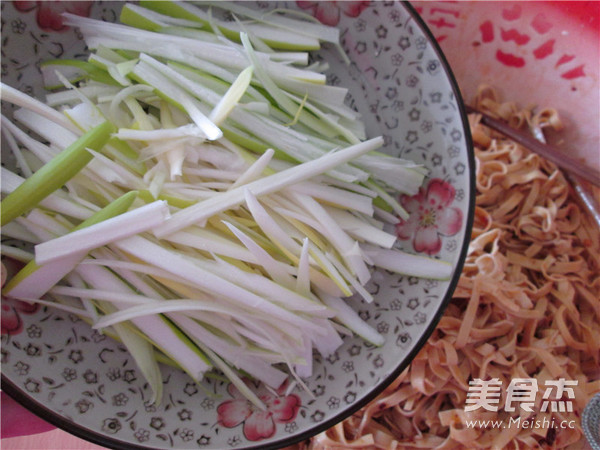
{"x":430,"y":216}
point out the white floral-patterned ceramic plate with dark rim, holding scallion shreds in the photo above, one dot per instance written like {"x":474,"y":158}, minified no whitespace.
{"x":87,"y":384}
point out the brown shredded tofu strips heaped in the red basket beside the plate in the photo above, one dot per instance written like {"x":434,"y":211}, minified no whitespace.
{"x":527,"y":306}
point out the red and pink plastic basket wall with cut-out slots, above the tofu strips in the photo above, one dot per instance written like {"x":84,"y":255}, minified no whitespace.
{"x":539,"y":53}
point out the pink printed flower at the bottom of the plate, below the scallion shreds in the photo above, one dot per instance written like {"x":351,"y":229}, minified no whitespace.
{"x":257,"y":424}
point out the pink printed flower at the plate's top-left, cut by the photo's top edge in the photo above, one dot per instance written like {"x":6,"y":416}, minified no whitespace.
{"x":48,"y":13}
